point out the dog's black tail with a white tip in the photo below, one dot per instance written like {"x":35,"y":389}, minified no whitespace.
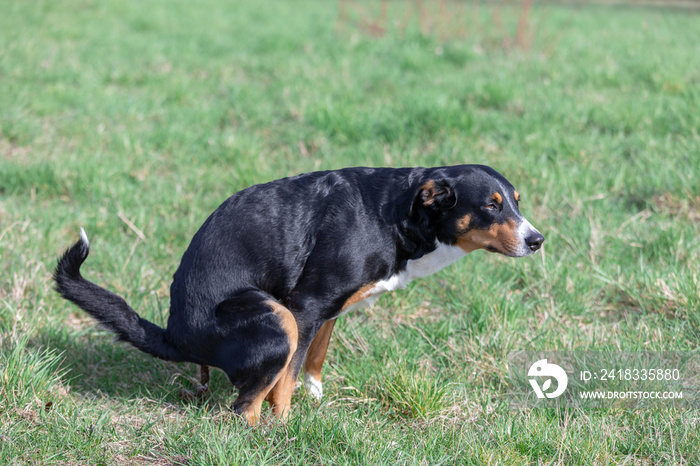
{"x":111,"y":310}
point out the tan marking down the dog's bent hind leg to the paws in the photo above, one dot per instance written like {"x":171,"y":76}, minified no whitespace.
{"x":280,"y":399}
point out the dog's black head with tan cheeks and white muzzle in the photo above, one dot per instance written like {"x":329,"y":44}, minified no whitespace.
{"x":474,"y":207}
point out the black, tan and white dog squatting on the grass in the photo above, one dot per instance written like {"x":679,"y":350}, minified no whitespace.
{"x":259,"y":288}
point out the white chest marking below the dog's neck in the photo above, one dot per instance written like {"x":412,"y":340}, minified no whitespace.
{"x":430,"y":263}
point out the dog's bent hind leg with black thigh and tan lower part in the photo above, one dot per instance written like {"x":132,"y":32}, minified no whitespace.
{"x":260,"y":343}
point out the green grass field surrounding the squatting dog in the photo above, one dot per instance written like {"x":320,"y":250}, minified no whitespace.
{"x":151,"y":114}
